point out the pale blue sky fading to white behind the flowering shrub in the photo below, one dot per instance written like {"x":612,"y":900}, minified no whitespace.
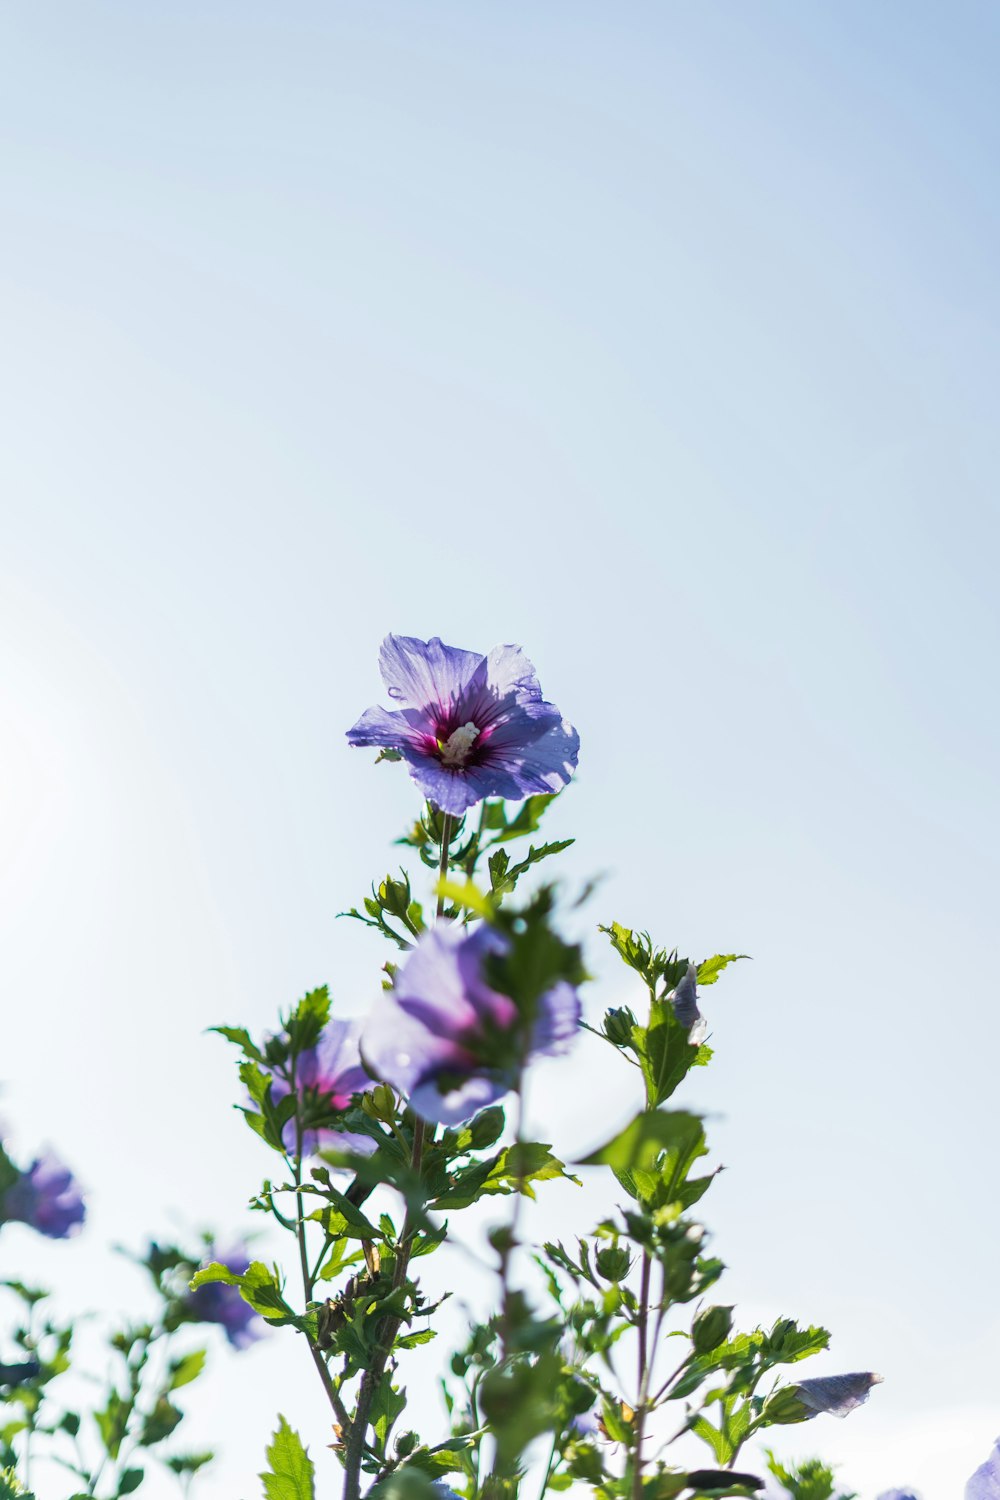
{"x":659,"y":338}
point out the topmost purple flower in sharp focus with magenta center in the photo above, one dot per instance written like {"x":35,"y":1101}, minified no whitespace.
{"x":469,"y":725}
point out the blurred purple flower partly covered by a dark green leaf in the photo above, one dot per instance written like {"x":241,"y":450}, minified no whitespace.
{"x":448,"y":1040}
